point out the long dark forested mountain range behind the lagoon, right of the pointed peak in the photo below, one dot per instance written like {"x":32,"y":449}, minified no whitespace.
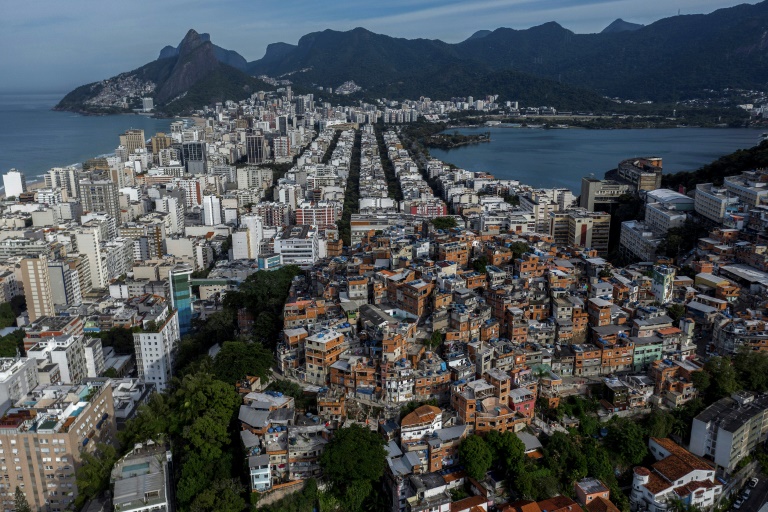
{"x":672,"y":59}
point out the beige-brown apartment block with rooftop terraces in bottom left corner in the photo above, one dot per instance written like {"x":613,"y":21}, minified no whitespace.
{"x":49,"y":432}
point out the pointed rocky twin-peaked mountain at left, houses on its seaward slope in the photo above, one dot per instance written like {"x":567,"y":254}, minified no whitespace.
{"x":188,"y":76}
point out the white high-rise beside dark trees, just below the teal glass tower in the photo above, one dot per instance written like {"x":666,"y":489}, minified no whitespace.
{"x":156,"y":346}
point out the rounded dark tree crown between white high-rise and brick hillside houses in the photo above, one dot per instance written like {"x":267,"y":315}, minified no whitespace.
{"x":236,"y":359}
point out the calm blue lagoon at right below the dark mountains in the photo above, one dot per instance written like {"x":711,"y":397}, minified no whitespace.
{"x":561,"y":157}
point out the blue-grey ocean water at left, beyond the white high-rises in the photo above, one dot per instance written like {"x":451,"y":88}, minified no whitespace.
{"x":33,"y":138}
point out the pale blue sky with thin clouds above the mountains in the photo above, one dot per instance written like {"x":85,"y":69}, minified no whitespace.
{"x":55,"y":45}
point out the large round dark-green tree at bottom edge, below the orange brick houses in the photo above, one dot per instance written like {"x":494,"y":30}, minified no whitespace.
{"x":353,"y":459}
